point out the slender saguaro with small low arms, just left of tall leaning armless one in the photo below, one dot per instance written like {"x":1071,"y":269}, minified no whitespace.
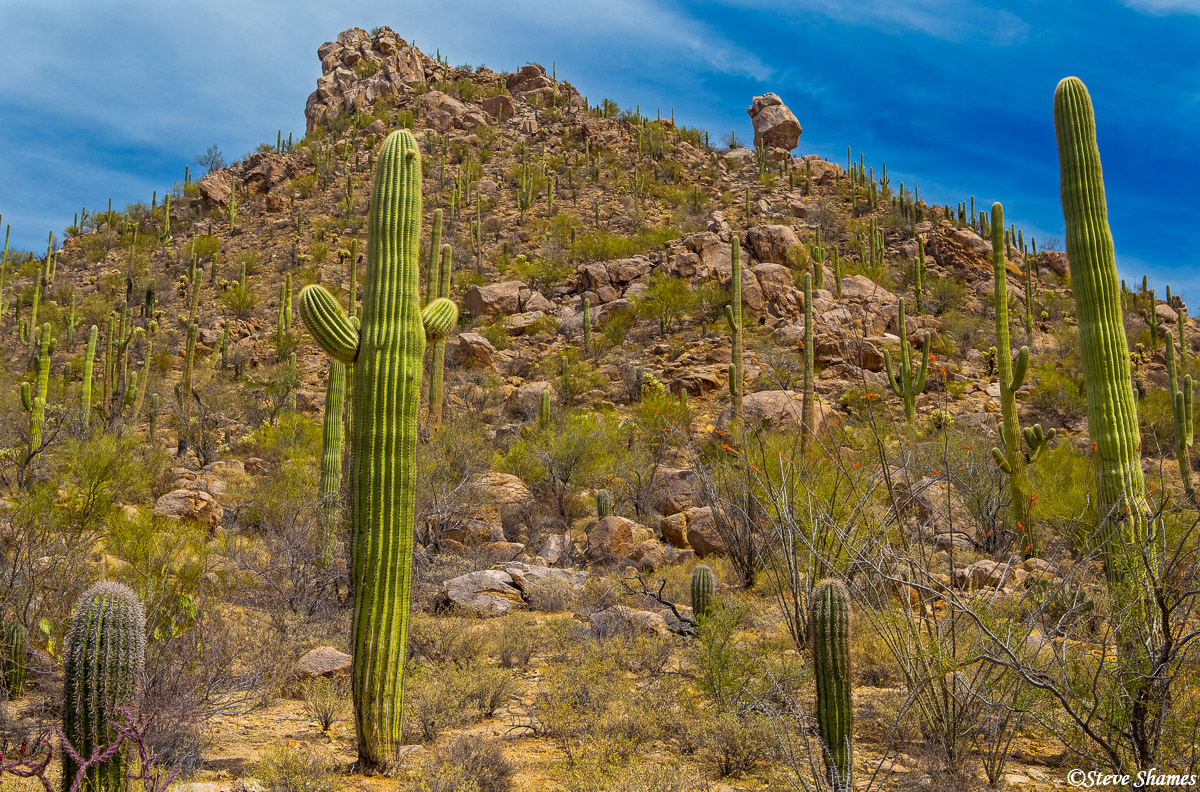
{"x":1013,"y":460}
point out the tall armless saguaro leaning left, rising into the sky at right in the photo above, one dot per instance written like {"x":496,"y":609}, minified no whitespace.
{"x":1112,"y":409}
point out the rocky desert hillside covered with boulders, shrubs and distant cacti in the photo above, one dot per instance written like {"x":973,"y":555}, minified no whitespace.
{"x":593,"y":260}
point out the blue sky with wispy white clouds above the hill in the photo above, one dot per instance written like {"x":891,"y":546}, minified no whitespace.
{"x":104,"y":100}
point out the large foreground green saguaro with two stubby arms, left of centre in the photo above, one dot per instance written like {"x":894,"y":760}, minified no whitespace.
{"x":387,"y":355}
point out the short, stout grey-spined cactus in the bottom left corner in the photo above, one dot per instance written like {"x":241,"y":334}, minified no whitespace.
{"x":105,"y":661}
